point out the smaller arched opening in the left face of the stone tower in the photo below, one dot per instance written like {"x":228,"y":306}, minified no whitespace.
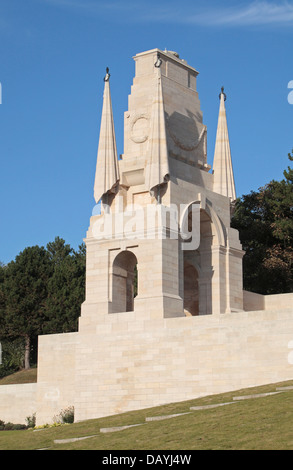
{"x":124,"y":282}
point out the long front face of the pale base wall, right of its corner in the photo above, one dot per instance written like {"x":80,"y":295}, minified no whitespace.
{"x":136,"y":362}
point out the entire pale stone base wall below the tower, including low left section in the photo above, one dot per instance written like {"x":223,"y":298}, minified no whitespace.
{"x":130,"y":361}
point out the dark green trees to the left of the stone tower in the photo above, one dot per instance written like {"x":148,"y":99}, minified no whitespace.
{"x":41,"y":292}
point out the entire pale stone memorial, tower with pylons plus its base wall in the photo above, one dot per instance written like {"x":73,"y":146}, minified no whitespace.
{"x":165,"y":317}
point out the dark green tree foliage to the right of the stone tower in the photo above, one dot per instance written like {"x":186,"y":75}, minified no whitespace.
{"x":265,"y":223}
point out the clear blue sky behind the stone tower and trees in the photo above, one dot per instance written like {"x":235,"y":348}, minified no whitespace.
{"x":53,"y":58}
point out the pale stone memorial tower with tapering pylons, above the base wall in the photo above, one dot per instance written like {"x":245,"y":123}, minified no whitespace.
{"x":147,"y":240}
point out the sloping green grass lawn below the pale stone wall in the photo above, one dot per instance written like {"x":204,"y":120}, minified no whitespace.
{"x":256,"y":424}
